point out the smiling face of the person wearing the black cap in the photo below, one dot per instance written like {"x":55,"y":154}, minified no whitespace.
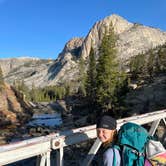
{"x":104,"y":134}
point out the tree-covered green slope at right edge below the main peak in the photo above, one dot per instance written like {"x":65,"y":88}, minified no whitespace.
{"x":148,"y":64}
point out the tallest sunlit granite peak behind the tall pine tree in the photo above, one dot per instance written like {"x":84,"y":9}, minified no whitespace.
{"x":132,"y":38}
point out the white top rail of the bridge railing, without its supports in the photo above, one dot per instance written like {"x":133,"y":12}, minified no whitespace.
{"x":65,"y":138}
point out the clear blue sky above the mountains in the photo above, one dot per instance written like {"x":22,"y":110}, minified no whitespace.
{"x":40,"y":28}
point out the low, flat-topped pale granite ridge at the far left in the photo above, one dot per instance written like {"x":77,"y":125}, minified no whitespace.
{"x":31,"y":70}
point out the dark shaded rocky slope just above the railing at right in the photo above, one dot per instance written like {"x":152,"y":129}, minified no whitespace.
{"x":147,"y":97}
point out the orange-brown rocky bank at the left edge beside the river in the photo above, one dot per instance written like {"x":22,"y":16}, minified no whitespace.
{"x":13,"y":110}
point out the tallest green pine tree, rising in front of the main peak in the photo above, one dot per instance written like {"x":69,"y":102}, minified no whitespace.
{"x":109,"y":77}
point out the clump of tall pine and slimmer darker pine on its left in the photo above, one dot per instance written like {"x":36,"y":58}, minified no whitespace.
{"x":106,"y":84}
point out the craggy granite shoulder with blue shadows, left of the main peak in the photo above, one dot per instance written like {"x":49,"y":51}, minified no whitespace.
{"x":66,"y":66}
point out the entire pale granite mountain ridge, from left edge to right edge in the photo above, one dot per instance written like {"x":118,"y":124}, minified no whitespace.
{"x":132,"y":40}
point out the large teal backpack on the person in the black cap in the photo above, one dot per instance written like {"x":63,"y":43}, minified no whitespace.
{"x":131,"y":140}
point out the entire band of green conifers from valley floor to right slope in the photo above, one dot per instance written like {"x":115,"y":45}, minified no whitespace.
{"x":104,"y":85}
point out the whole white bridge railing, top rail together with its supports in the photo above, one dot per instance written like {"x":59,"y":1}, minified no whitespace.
{"x":42,"y":146}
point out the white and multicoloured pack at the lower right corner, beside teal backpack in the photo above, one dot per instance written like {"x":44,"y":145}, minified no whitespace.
{"x":155,"y":153}
